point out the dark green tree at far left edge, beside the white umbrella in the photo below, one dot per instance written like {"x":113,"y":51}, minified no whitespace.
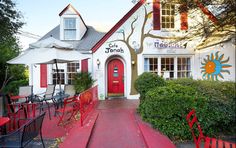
{"x":10,"y":23}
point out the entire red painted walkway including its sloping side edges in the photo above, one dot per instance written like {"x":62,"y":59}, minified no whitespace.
{"x":115,"y":124}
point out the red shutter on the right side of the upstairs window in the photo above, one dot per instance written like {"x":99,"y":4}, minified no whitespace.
{"x":184,"y":17}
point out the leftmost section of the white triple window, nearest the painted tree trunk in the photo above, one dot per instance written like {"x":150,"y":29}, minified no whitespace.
{"x":151,"y":65}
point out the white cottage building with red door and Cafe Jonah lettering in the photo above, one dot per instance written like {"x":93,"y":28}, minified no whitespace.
{"x":151,"y":37}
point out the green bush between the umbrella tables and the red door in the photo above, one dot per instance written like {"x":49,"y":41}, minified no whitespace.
{"x":83,"y":81}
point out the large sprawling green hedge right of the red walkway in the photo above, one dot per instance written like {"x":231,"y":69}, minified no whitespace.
{"x":166,"y":107}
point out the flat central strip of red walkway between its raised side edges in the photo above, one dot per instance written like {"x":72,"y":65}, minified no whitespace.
{"x":115,"y":128}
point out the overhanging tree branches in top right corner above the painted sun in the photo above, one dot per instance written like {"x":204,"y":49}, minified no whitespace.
{"x":223,"y":13}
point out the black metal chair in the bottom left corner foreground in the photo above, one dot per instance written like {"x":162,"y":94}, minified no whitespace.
{"x":25,"y":134}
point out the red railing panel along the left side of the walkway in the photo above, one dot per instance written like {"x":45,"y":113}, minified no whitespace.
{"x":88,"y":100}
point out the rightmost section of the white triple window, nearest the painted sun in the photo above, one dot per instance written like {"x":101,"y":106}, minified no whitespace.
{"x":184,"y":67}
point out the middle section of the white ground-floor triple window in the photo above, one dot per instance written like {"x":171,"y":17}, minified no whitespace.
{"x":167,"y":67}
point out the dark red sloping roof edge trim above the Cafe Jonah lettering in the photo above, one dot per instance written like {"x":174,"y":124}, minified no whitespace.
{"x":121,"y":22}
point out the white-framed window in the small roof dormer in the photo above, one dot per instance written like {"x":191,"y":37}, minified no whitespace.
{"x":69,"y":28}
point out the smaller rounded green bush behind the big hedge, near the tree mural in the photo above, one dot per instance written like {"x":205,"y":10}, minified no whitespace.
{"x":147,"y":81}
